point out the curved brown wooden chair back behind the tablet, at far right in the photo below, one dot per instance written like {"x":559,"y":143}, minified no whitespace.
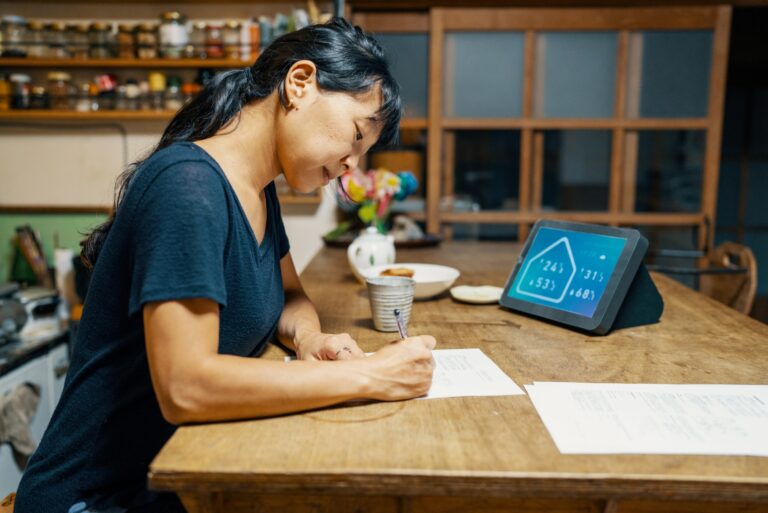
{"x":736,"y":290}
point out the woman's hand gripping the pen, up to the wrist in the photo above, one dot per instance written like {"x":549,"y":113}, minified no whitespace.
{"x":401,"y":370}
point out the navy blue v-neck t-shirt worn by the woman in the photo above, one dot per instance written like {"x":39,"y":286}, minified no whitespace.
{"x":180,"y":232}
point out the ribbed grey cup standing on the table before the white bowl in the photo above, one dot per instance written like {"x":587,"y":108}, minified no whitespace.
{"x":387,"y":293}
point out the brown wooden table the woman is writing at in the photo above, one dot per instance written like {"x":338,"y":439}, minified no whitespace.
{"x":487,"y":454}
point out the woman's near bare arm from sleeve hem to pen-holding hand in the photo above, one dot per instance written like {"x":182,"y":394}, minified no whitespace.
{"x":193,"y":383}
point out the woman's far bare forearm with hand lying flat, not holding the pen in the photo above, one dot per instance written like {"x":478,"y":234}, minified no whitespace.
{"x":299,"y":327}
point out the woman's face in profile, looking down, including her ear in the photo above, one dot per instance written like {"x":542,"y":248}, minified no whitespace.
{"x":323,"y":134}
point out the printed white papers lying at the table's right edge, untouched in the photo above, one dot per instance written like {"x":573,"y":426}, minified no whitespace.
{"x":595,"y":418}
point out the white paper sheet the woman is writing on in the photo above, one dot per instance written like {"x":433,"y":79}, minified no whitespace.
{"x":466,"y":372}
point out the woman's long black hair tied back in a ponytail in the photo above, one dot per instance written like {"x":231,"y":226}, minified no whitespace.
{"x":346,"y":58}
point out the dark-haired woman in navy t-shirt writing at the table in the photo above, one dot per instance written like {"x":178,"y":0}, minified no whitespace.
{"x":192,"y":275}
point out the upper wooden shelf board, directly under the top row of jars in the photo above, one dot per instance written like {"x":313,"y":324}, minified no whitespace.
{"x":28,"y":62}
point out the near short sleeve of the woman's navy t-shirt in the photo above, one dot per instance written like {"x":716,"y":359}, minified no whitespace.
{"x":179,"y":235}
